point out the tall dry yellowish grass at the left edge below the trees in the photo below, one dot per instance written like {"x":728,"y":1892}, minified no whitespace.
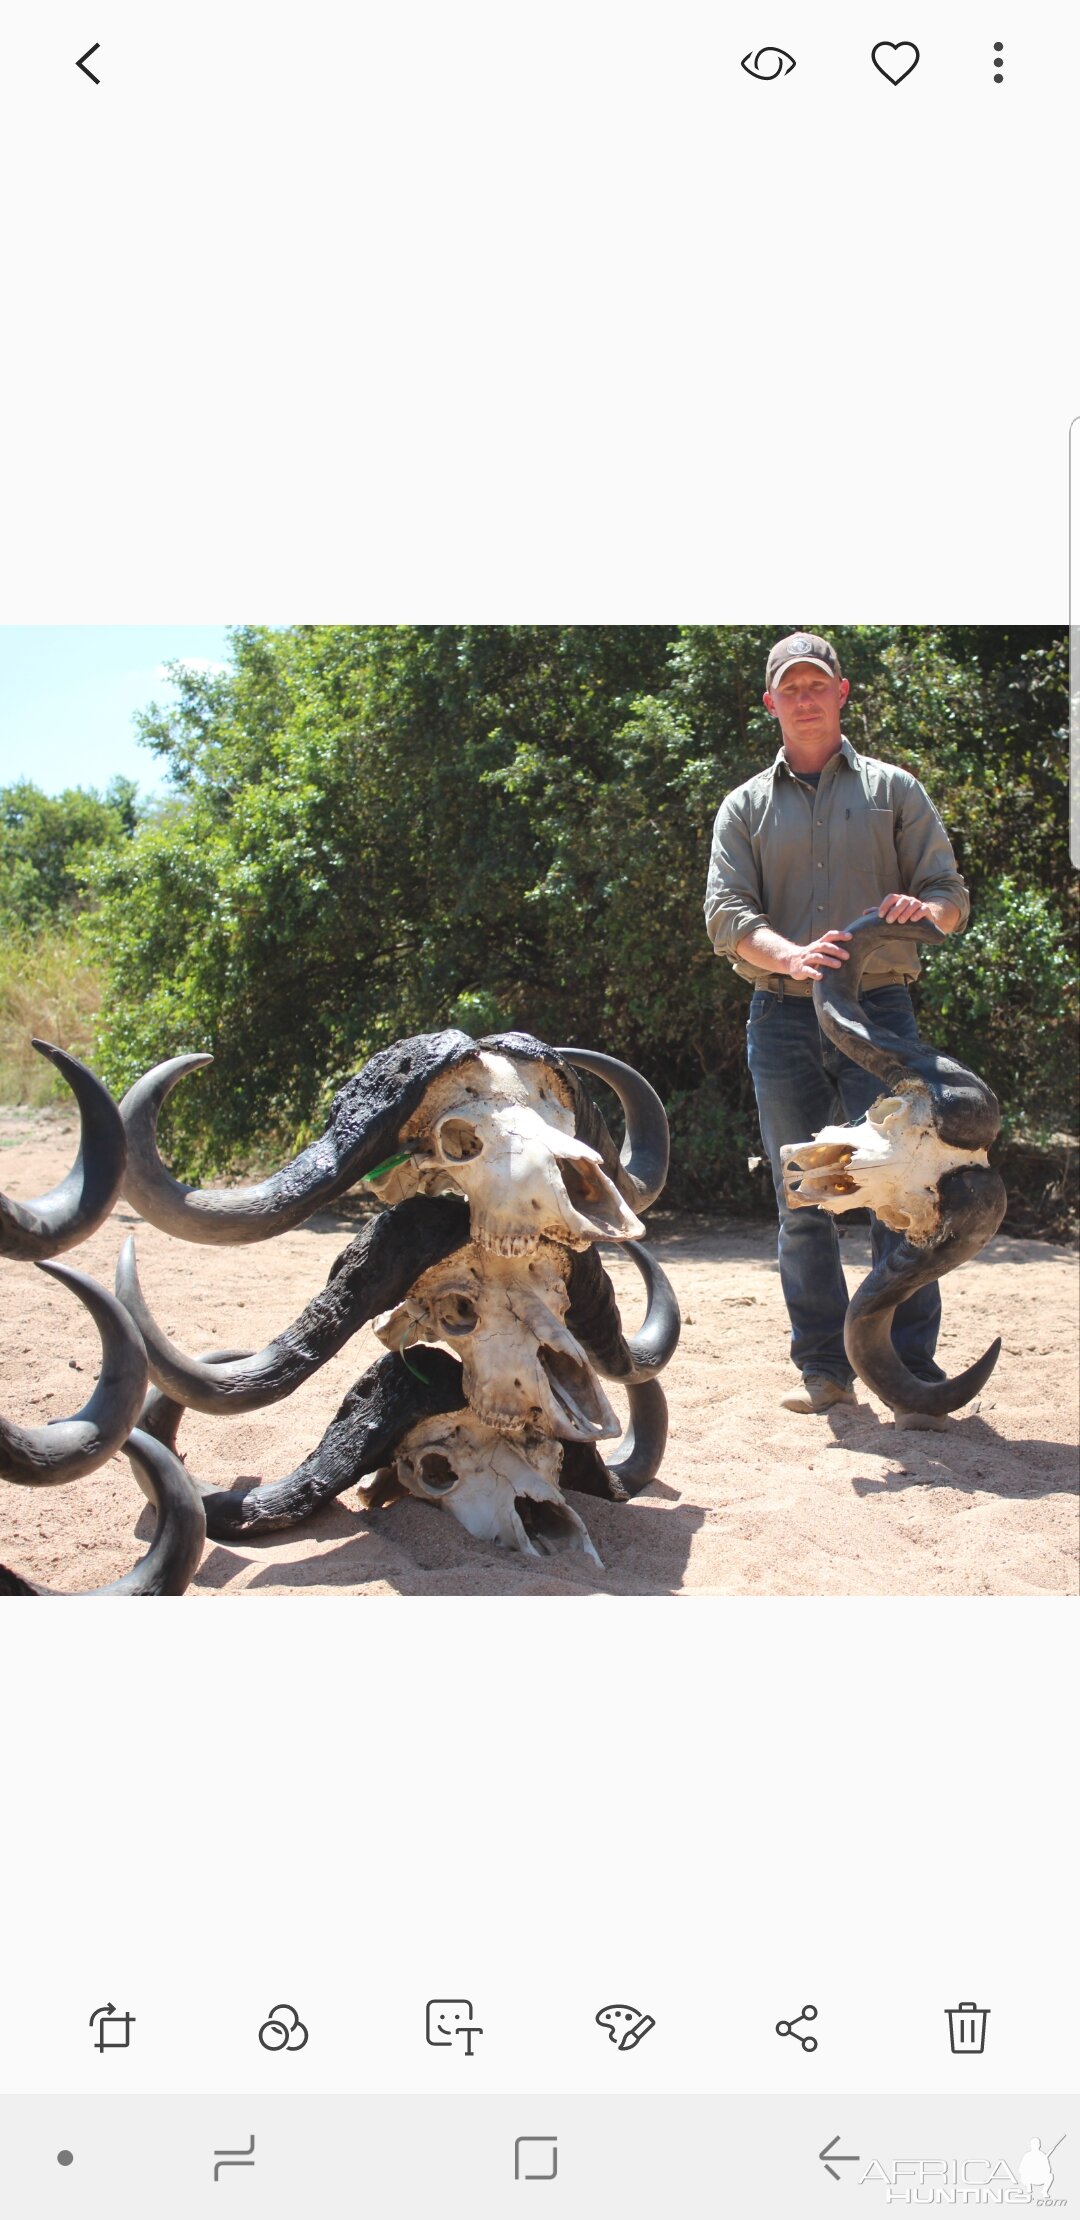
{"x":52,"y":989}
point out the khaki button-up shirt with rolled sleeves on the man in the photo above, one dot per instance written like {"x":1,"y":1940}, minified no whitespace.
{"x":810,"y":860}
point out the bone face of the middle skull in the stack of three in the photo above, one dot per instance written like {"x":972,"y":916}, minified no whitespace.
{"x":503,"y":1318}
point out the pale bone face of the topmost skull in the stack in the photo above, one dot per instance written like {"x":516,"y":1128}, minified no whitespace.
{"x":503,"y":1138}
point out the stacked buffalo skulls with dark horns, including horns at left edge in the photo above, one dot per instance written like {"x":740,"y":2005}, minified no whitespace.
{"x":499,"y":1180}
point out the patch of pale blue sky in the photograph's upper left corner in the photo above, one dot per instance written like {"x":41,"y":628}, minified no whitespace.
{"x":70,"y":696}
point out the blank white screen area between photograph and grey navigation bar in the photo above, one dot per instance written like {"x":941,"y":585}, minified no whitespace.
{"x":714,"y":1810}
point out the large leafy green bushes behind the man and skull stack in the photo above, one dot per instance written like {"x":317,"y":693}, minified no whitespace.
{"x":388,"y":829}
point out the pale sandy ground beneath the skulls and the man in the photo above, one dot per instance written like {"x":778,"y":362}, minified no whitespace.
{"x":752,"y":1502}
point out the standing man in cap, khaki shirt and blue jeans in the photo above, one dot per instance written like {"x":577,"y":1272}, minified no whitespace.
{"x":801,"y":851}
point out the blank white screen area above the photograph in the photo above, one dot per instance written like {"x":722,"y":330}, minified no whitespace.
{"x":497,"y":312}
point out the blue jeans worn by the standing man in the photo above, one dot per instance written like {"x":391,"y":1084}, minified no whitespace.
{"x":803,"y":1084}
